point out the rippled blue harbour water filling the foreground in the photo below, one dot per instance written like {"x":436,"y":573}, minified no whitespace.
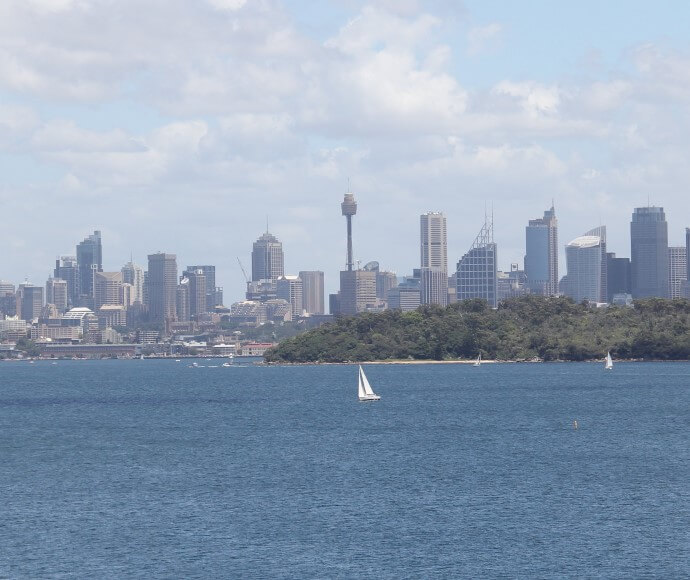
{"x":154,"y":469}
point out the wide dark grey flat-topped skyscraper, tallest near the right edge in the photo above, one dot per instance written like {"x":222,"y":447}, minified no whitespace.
{"x":649,"y":252}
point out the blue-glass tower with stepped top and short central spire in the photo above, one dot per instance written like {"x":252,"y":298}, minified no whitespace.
{"x":541,"y":258}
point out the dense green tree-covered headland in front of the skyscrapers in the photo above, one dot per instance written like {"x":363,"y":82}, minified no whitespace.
{"x":520,"y":329}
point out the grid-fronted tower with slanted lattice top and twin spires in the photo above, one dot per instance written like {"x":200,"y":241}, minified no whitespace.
{"x":477,"y":273}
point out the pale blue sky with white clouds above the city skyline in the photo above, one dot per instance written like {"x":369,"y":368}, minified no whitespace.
{"x":183,"y":127}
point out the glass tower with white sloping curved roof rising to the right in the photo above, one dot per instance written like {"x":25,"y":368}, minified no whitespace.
{"x":586,"y":264}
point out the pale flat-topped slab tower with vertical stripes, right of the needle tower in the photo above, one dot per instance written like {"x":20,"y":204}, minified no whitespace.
{"x":434,"y":259}
